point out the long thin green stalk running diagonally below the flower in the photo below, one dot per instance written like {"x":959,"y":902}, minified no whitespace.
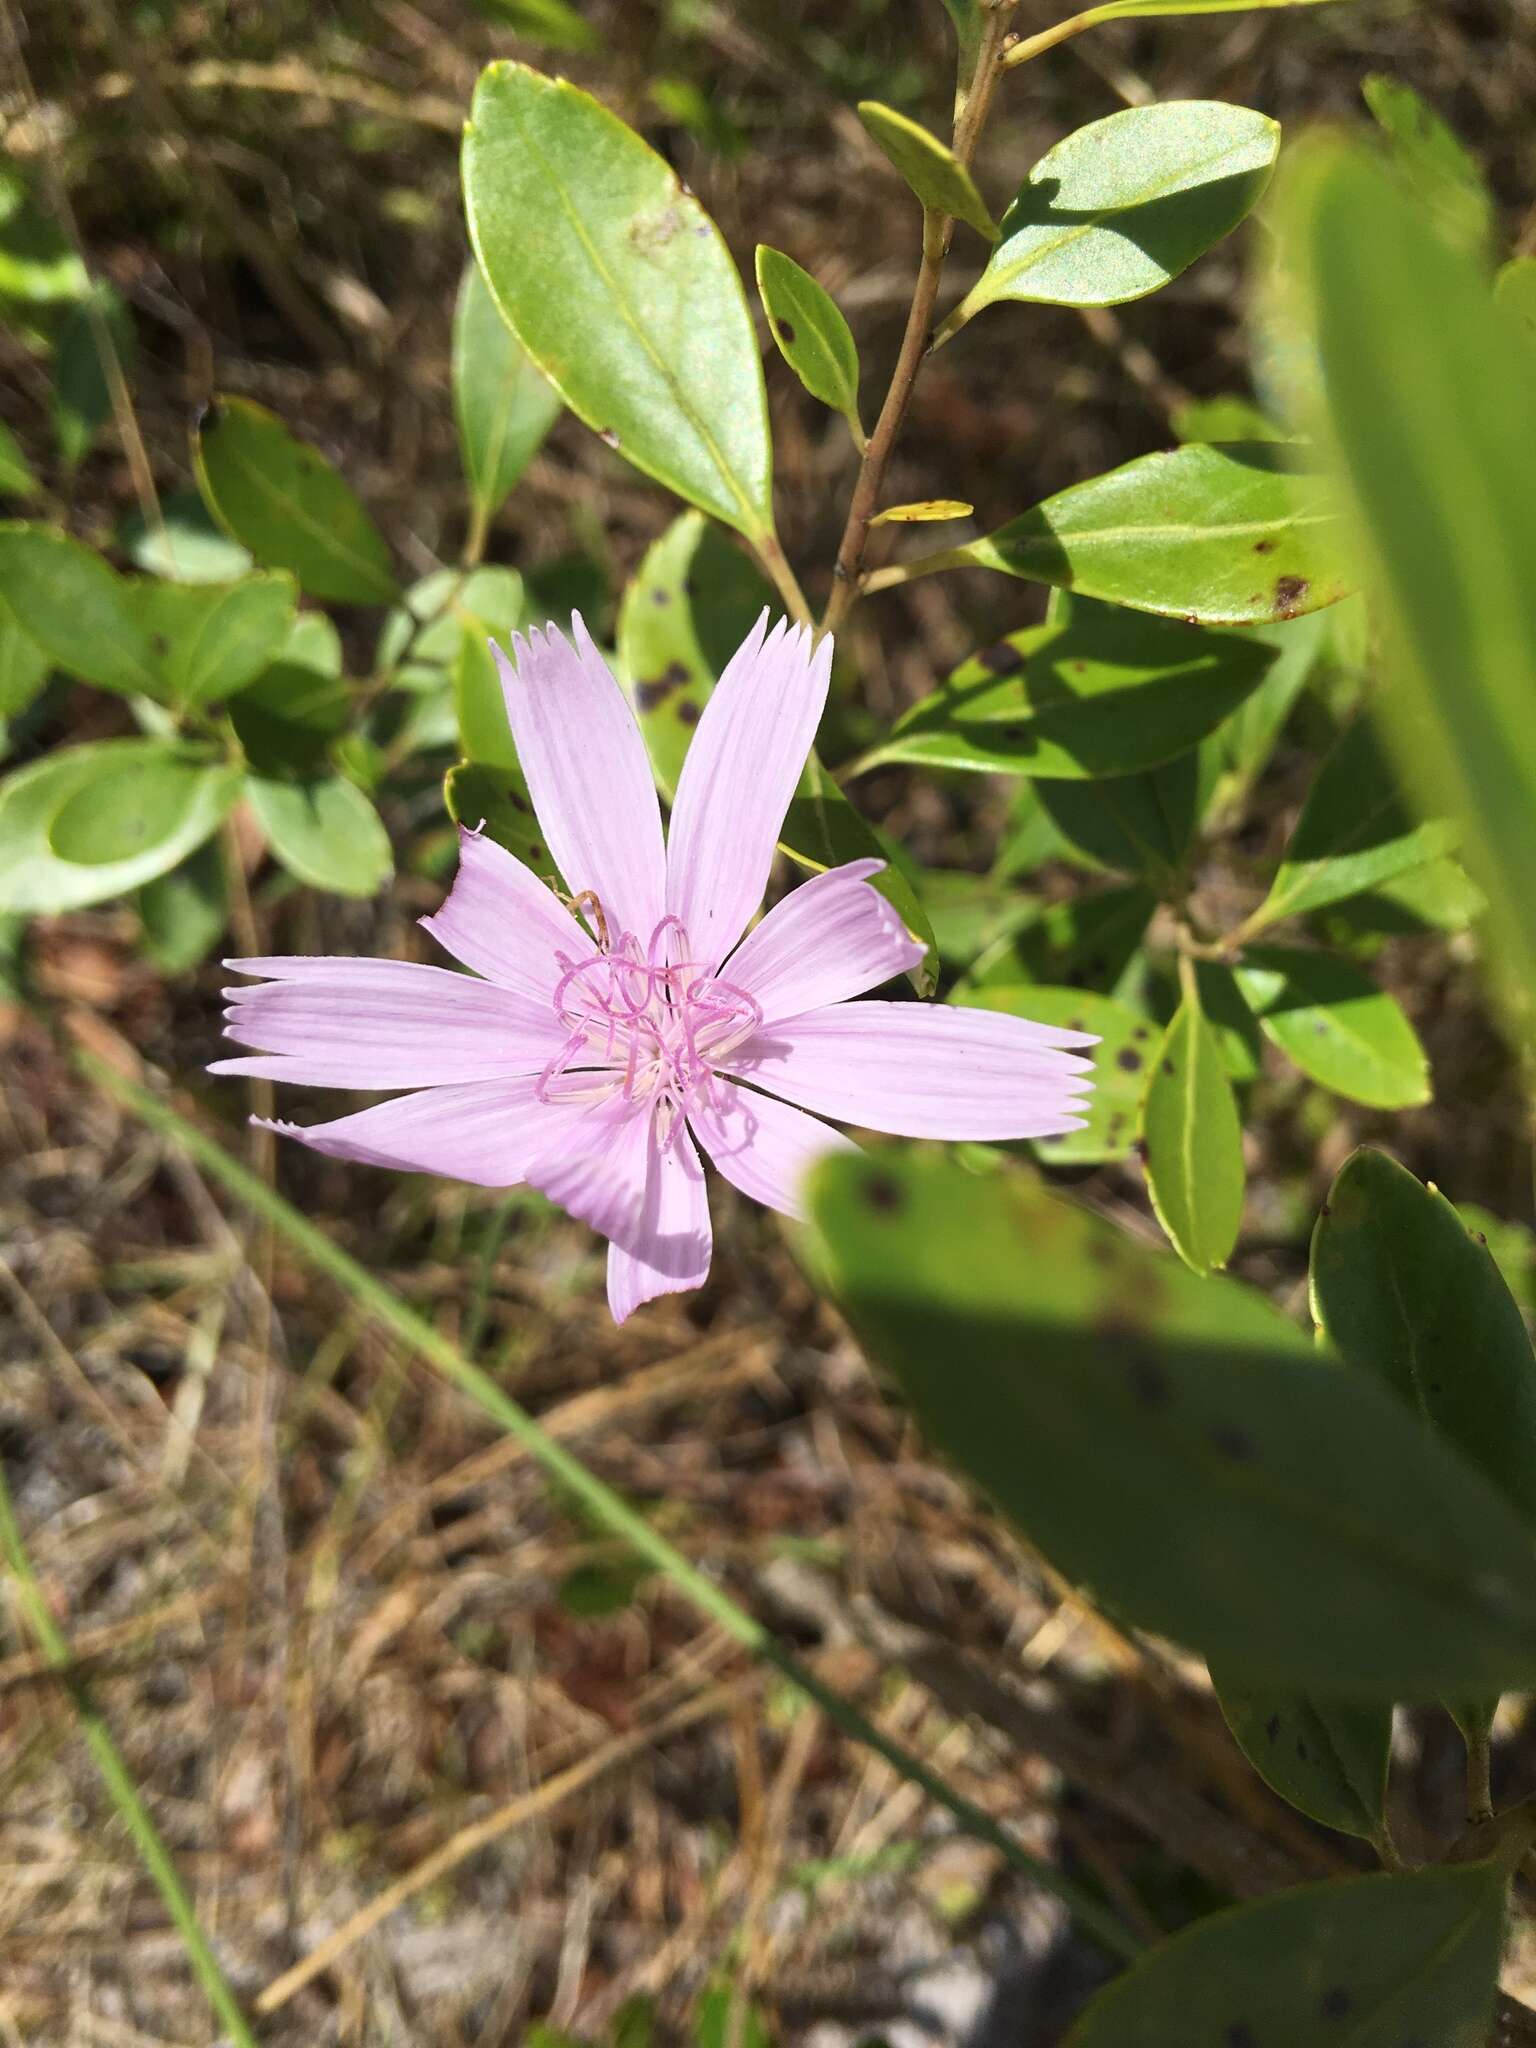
{"x":601,"y":1502}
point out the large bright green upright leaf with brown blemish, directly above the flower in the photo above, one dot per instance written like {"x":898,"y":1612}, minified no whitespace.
{"x":620,"y":288}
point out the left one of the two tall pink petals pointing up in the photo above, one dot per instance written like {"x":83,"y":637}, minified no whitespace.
{"x":589,"y":775}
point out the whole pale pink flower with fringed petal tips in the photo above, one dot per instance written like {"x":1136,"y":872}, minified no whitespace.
{"x":595,"y":1058}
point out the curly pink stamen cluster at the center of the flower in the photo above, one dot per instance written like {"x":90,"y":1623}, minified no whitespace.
{"x":644,"y":1025}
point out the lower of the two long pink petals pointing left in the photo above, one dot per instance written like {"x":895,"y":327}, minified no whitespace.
{"x":482,"y":1132}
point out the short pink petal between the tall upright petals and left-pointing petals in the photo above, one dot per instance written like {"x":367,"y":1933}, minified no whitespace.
{"x":505,"y":923}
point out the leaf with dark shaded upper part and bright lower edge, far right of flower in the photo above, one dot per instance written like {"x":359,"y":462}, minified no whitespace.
{"x":1353,"y":835}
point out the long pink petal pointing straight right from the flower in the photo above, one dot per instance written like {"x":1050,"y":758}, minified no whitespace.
{"x":923,"y":1070}
